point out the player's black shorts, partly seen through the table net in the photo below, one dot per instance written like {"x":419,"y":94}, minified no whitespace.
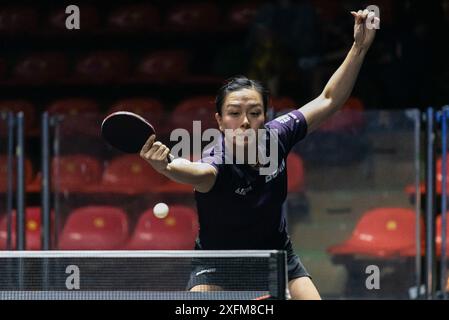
{"x":239,"y":274}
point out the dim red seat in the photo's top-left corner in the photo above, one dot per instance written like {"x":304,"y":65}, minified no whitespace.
{"x":18,"y":19}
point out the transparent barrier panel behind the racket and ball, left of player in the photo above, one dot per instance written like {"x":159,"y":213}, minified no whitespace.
{"x":104,"y":199}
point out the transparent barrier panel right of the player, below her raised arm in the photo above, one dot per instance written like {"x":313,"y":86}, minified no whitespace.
{"x":353,"y":222}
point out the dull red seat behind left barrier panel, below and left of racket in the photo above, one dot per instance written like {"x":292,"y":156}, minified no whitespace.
{"x":75,"y":172}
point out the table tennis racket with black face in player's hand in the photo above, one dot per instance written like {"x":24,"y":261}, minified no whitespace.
{"x":127,"y":131}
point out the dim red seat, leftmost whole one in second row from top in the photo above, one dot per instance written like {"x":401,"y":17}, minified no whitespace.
{"x":41,"y":67}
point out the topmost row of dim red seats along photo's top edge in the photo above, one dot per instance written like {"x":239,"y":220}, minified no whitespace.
{"x":180,"y":17}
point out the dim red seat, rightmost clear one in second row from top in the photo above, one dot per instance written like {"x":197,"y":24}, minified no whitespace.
{"x":164,"y":65}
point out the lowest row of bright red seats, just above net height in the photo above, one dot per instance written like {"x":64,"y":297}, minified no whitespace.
{"x":381,"y":233}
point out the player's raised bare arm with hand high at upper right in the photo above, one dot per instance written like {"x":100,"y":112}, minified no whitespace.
{"x":340,"y":85}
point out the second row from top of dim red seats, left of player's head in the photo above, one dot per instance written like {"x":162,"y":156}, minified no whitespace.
{"x":102,"y":66}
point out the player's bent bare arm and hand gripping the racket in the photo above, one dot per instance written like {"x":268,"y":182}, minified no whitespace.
{"x":200,"y":175}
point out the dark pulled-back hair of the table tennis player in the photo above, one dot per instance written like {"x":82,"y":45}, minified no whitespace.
{"x":238,"y":83}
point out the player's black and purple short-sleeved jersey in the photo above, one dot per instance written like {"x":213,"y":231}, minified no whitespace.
{"x":243,"y":210}
